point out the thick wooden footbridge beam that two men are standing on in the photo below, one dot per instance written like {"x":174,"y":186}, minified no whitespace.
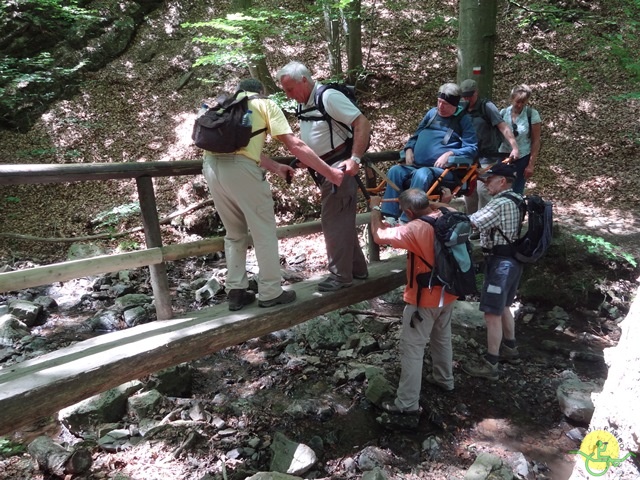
{"x":44,"y":385}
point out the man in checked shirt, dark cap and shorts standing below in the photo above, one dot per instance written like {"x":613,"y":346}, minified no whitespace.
{"x":499,"y":223}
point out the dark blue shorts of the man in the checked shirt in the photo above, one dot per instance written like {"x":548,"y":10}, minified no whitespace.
{"x":501,"y":279}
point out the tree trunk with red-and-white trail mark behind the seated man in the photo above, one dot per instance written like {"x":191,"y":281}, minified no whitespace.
{"x":476,"y":43}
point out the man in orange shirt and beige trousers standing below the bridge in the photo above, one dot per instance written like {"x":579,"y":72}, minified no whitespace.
{"x":427,"y":314}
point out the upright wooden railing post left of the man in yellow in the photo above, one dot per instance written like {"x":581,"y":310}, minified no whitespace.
{"x":159,"y":281}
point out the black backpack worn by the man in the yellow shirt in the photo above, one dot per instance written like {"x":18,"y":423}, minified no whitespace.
{"x":220,"y":128}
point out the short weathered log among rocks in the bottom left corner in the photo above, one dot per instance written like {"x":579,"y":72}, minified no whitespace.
{"x":54,"y":458}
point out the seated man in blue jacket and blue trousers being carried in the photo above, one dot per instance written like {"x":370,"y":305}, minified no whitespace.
{"x":442,"y":138}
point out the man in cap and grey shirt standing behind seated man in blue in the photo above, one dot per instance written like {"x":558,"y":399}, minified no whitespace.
{"x":490,"y":129}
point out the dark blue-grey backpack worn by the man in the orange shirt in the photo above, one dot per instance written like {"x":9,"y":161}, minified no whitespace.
{"x":454,"y":268}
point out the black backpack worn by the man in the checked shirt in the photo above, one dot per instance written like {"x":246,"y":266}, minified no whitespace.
{"x":528,"y":248}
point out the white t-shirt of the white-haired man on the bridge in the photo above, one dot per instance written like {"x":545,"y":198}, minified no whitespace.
{"x":316,"y":134}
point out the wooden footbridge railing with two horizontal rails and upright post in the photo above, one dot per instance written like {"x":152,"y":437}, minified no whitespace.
{"x":25,"y":174}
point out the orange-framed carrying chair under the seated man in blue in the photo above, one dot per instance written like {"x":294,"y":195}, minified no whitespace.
{"x":462,"y":181}
